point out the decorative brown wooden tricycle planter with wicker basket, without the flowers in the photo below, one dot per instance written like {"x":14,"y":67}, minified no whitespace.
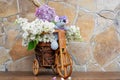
{"x":58,"y":60}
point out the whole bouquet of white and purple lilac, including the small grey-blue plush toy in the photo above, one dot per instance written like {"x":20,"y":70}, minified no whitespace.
{"x":43,"y":27}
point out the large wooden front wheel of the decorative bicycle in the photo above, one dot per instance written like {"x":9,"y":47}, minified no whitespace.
{"x":65,"y":70}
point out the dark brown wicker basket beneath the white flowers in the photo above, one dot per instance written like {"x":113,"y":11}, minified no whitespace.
{"x":44,"y":54}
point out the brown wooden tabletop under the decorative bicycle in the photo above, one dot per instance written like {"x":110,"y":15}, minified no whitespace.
{"x":49,"y":75}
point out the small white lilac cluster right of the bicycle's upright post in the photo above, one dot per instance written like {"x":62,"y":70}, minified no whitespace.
{"x":73,"y":34}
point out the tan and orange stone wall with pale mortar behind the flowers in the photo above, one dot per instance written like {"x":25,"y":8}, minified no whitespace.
{"x":99,"y":25}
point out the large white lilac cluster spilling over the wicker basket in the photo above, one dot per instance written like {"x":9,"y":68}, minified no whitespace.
{"x":36,"y":30}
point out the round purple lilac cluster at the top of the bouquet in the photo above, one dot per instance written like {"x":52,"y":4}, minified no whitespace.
{"x":45,"y":12}
